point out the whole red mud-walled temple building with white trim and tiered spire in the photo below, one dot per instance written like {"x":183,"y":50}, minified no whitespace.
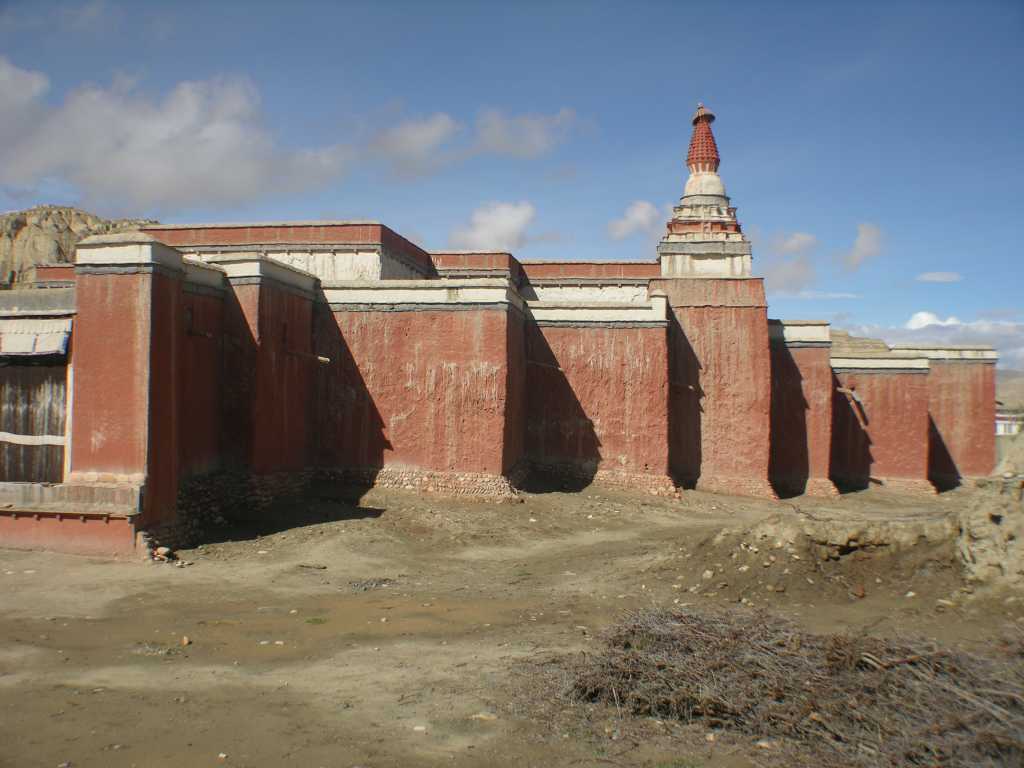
{"x":188,"y":368}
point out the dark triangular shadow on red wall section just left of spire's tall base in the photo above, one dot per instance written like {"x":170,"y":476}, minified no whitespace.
{"x":562,"y":445}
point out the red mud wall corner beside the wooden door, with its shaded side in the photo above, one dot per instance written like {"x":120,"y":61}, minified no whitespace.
{"x":147,"y":392}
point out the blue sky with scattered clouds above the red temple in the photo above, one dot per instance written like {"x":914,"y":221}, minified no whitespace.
{"x":875,"y":150}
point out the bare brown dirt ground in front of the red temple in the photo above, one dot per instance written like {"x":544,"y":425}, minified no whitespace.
{"x":396,"y":632}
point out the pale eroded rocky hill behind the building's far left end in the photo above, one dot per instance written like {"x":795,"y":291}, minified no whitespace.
{"x":47,"y":235}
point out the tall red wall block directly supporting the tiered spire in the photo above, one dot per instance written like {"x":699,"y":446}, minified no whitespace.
{"x":720,"y":374}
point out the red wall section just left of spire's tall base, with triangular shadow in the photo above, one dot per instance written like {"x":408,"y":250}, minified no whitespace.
{"x":599,"y":400}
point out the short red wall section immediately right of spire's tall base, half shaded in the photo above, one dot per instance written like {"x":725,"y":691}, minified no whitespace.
{"x":801,"y":418}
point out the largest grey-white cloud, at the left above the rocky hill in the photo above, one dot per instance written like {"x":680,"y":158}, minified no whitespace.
{"x":204,"y":144}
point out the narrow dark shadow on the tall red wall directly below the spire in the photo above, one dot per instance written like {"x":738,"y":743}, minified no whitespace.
{"x":686,"y":410}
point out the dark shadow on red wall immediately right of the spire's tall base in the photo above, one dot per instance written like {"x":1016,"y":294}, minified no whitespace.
{"x":789,"y":464}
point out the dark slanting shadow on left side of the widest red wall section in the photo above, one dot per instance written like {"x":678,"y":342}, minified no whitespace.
{"x":349,"y":431}
